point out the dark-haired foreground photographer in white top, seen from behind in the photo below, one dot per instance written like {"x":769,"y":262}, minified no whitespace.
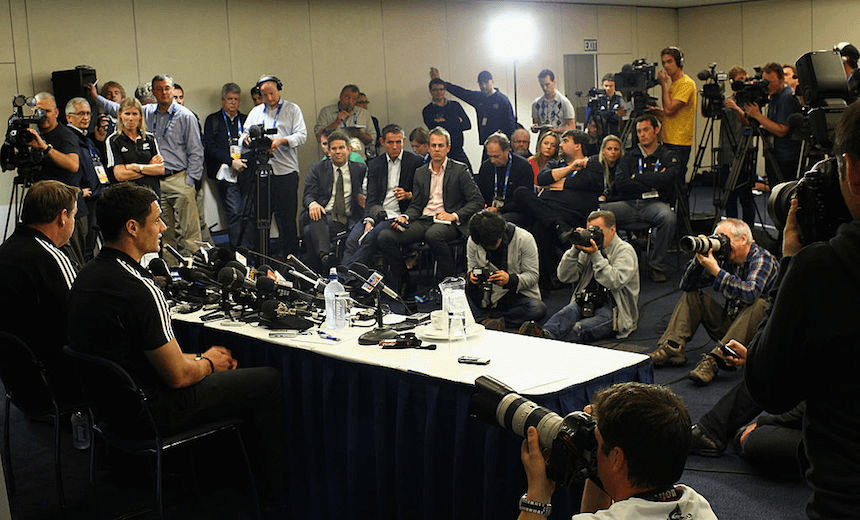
{"x":642,"y":434}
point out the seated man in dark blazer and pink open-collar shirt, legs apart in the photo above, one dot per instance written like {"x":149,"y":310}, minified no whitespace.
{"x":444,"y":198}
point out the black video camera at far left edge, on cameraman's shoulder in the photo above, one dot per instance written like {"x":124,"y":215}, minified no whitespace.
{"x":16,"y":152}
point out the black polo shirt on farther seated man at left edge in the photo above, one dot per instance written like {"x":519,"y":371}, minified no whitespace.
{"x":35,"y":277}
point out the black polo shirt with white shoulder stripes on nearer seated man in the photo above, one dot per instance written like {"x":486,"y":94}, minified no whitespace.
{"x":117,"y":311}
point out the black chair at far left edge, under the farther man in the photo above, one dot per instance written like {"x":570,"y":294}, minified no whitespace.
{"x":27,"y":385}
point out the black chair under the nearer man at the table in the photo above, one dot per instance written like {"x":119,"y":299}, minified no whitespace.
{"x":122,"y":417}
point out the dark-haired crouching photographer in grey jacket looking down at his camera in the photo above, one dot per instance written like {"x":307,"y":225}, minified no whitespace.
{"x":502,"y":260}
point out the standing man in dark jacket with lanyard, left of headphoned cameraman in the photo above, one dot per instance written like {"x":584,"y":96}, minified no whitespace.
{"x":221,"y":151}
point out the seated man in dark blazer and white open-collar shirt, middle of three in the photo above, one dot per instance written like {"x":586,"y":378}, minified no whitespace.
{"x":389,"y":191}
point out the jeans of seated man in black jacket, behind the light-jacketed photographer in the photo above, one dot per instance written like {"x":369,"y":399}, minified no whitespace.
{"x":654,"y":212}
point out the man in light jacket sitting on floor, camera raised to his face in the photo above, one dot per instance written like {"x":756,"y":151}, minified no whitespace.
{"x":605,"y":298}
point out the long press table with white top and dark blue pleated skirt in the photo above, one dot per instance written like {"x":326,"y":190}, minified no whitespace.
{"x":376,"y":433}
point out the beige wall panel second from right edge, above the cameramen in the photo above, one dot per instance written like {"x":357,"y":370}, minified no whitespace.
{"x":782,"y":41}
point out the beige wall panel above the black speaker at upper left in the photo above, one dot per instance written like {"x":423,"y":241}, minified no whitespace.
{"x":57,"y":43}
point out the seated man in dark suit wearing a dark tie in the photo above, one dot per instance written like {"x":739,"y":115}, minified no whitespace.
{"x":333,"y":201}
